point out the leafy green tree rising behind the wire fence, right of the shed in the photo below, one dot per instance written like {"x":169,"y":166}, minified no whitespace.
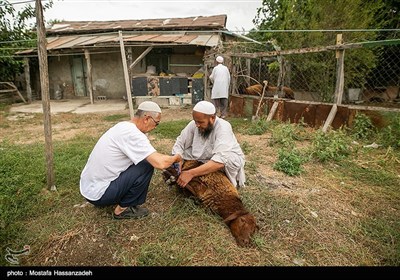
{"x":309,"y":16}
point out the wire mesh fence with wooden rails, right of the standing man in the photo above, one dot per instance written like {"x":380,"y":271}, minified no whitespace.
{"x":371,"y":70}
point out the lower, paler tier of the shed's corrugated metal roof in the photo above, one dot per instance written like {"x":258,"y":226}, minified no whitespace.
{"x":74,"y":41}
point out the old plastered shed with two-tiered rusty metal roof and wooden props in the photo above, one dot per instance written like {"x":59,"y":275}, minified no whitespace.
{"x":167,"y":59}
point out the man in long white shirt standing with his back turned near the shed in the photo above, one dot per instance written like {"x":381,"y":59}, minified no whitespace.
{"x":221,"y":79}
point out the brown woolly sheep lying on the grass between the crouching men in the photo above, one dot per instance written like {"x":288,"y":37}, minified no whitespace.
{"x":216,"y":192}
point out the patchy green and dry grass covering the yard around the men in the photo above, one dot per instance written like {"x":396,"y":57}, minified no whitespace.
{"x":337,"y":212}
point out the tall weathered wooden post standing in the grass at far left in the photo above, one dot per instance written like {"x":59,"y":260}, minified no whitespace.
{"x":44,"y":85}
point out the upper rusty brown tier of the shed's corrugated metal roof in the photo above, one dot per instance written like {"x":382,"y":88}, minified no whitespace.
{"x":217,"y":22}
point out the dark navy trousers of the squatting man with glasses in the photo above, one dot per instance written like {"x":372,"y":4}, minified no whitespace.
{"x":130,"y":188}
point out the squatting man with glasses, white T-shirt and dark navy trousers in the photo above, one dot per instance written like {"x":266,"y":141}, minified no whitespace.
{"x":121,"y":164}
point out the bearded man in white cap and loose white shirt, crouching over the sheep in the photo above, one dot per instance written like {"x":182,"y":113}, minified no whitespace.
{"x":210,"y":139}
